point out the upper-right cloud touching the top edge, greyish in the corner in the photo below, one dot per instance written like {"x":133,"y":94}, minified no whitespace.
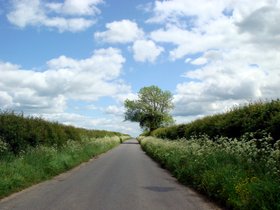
{"x":215,"y":25}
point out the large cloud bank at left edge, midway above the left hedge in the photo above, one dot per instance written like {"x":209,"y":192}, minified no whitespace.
{"x":65,"y":78}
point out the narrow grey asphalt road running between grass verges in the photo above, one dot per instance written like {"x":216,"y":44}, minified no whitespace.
{"x":125,"y":178}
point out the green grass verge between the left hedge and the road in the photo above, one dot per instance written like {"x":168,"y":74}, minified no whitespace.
{"x":34,"y":165}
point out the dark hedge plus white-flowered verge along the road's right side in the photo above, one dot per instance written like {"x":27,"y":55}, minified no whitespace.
{"x":232,"y":157}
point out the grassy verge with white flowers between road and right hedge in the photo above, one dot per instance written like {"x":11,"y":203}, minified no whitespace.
{"x":240,"y":174}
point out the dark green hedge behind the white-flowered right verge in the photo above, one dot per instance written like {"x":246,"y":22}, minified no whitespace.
{"x":260,"y":118}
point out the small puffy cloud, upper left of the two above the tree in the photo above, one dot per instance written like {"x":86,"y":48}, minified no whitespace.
{"x":124,"y":31}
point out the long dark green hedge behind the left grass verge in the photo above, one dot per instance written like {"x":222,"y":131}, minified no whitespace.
{"x":18,"y":133}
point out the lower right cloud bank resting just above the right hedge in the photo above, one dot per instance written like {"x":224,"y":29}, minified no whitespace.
{"x":231,"y":80}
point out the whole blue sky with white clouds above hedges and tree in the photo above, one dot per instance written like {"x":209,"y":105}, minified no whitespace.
{"x":76,"y":61}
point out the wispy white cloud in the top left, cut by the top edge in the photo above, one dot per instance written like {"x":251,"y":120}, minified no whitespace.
{"x":67,"y":16}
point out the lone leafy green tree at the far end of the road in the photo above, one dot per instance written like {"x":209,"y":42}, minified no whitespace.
{"x":151,"y":109}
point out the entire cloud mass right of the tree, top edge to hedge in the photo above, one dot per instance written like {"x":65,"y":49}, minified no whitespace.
{"x":238,"y":47}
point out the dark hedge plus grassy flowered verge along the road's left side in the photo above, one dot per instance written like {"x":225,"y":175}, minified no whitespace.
{"x":32,"y":149}
